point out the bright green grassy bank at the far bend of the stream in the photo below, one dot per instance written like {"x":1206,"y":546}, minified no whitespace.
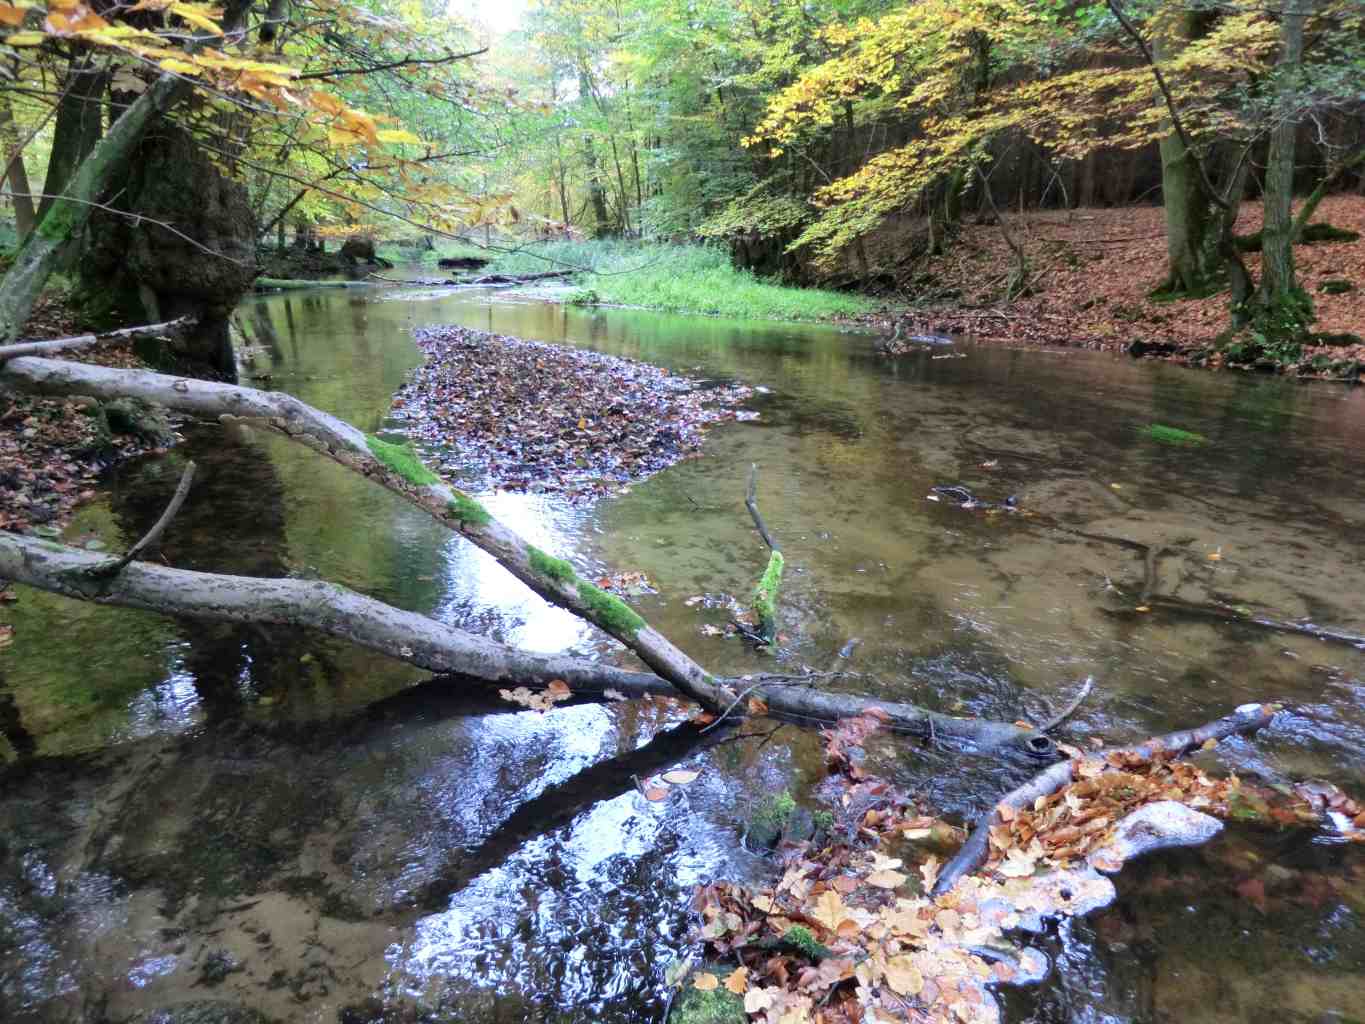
{"x":674,"y":279}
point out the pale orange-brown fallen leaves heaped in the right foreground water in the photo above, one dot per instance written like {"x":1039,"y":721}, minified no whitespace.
{"x":851,"y":933}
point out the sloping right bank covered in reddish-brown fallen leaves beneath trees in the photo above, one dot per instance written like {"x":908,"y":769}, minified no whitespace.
{"x":1094,"y":271}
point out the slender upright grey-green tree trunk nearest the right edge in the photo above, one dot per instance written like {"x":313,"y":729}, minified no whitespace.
{"x":1278,"y":282}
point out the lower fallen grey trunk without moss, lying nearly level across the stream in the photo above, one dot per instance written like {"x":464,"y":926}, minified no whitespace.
{"x":437,"y":648}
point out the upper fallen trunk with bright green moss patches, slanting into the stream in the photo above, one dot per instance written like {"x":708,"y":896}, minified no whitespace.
{"x":395,"y":468}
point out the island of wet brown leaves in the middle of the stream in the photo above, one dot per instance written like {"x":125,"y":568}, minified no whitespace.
{"x":540,"y":417}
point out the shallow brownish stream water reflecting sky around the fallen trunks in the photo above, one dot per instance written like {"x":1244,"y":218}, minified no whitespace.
{"x":265,"y":820}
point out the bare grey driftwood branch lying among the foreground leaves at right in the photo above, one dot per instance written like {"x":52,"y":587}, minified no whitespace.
{"x":975,"y":851}
